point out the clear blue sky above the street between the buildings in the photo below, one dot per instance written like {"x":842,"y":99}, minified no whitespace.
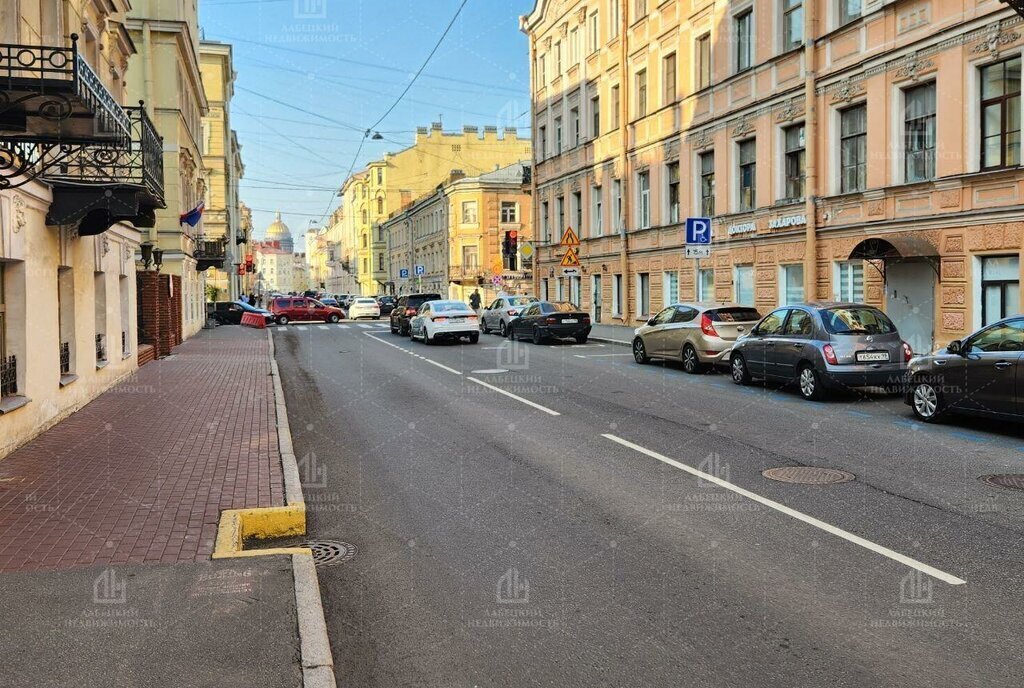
{"x":315,"y":75}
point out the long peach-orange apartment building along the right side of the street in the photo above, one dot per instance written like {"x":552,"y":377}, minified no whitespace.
{"x":810,"y":133}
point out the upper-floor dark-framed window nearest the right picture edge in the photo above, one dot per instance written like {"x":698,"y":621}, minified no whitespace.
{"x":1001,"y":114}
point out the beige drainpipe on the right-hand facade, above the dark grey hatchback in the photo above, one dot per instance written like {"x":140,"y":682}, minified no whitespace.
{"x":812,"y":143}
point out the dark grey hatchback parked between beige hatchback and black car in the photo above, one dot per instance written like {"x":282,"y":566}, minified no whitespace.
{"x":824,"y":348}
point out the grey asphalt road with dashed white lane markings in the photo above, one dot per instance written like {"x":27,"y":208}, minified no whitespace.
{"x":581,"y":521}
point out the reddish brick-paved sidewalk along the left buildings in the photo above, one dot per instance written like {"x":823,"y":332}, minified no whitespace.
{"x":143,"y":474}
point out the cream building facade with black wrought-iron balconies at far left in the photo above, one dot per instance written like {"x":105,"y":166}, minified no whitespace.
{"x":68,"y":237}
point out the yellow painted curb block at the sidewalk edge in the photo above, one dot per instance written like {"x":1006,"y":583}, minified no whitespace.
{"x":238,"y":526}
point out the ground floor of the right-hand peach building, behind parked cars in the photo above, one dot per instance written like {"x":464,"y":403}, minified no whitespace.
{"x":937,"y":284}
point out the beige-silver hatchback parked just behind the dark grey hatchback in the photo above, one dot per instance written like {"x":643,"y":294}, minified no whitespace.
{"x":697,"y":334}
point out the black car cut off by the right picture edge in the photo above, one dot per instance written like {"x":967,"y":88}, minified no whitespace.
{"x":979,"y":376}
